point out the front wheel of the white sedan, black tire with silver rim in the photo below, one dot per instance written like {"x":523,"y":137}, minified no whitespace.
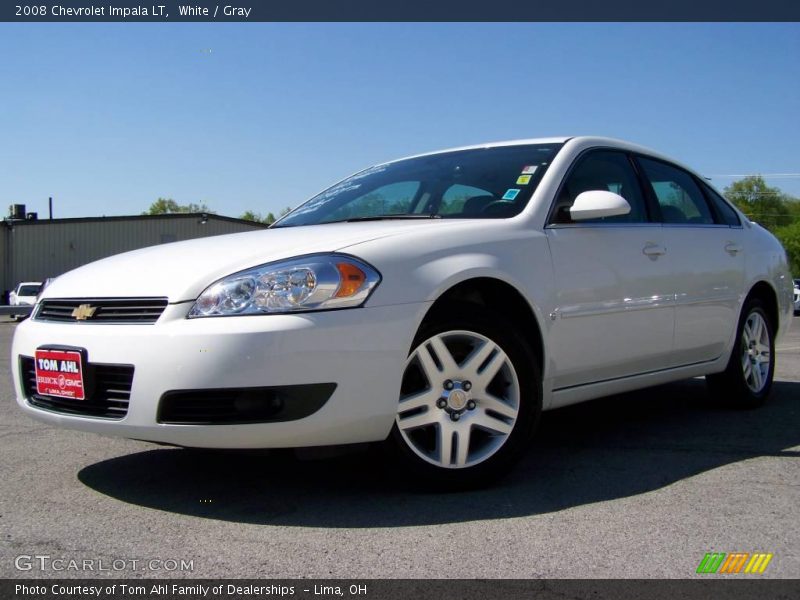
{"x":469,"y":402}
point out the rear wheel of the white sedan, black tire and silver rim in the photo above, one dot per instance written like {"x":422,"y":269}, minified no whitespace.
{"x":747,"y":380}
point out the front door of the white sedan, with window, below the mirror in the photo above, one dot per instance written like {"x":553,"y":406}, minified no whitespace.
{"x":615,"y":301}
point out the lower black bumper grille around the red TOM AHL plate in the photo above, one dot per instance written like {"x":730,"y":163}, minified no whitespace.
{"x":107,"y":387}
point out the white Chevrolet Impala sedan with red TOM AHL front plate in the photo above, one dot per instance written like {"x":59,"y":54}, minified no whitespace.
{"x":438,"y":303}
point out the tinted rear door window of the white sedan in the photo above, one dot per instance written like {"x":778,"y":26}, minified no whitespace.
{"x":679,"y":197}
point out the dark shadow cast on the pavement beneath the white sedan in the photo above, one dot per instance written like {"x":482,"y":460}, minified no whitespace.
{"x":601,"y":450}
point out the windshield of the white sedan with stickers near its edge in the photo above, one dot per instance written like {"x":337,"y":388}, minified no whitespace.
{"x":482,"y":183}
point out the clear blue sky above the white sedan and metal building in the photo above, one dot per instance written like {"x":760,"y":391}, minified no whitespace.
{"x":108,"y":117}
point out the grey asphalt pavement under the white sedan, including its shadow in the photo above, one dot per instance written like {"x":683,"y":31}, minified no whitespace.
{"x":634,"y":486}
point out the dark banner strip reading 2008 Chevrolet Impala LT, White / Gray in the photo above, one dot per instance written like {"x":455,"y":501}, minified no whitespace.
{"x":406,"y":10}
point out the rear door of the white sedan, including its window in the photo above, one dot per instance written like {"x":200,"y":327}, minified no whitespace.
{"x":703,"y":237}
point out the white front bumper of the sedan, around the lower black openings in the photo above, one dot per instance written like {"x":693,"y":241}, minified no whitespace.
{"x":362,"y":351}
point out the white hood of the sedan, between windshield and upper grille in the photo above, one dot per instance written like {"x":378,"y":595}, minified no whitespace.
{"x":180,"y":271}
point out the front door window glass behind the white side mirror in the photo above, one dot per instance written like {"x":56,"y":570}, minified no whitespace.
{"x":604,"y":170}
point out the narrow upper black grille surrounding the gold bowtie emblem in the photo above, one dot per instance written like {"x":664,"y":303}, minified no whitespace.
{"x":106,"y":310}
